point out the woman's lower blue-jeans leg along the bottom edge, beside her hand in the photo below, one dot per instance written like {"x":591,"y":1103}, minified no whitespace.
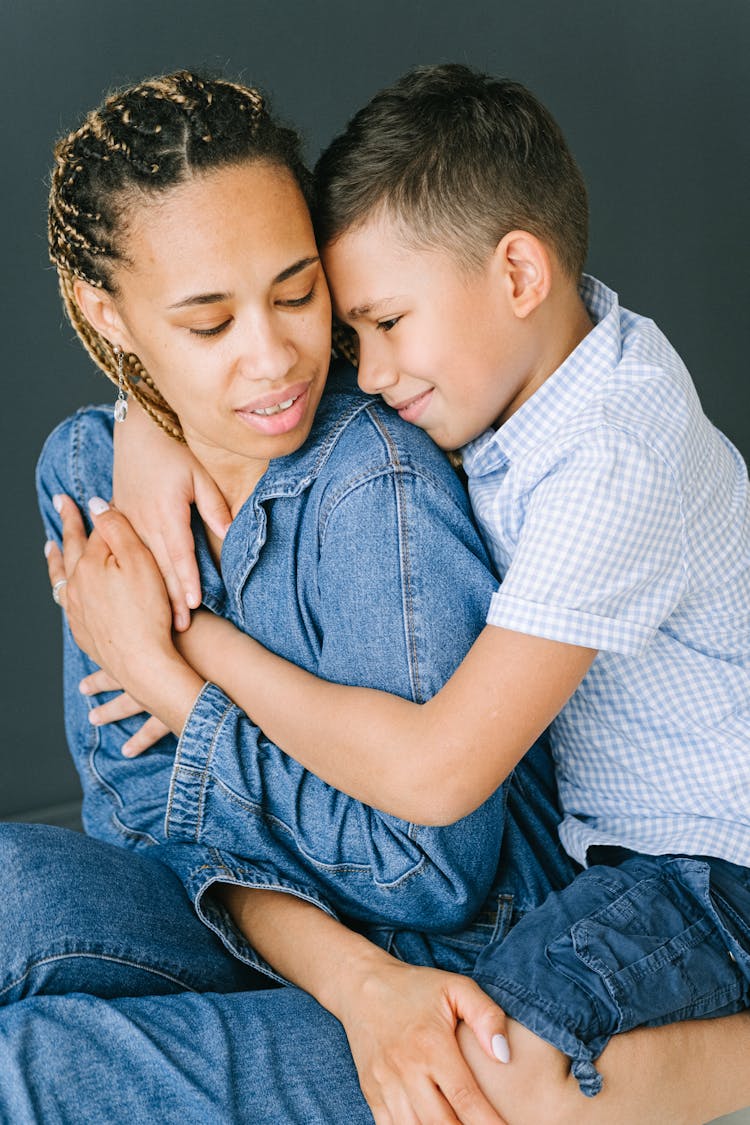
{"x":273,"y":1058}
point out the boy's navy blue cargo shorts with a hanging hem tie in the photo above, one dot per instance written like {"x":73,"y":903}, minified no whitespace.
{"x":638,"y":943}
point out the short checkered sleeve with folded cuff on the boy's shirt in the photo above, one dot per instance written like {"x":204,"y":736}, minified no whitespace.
{"x":599,"y":560}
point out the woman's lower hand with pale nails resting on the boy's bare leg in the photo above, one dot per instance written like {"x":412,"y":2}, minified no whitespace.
{"x":401,"y":1025}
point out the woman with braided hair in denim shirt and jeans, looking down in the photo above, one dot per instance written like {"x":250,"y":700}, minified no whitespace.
{"x":188,"y":258}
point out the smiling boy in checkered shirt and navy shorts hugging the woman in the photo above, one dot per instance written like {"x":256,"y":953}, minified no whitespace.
{"x":454,"y":226}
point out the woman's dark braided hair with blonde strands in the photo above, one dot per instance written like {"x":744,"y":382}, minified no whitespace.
{"x":143,"y":141}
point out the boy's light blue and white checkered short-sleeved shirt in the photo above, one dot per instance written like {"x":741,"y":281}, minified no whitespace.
{"x":620,"y":520}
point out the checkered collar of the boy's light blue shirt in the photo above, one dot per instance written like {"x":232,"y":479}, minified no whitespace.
{"x":563,"y":395}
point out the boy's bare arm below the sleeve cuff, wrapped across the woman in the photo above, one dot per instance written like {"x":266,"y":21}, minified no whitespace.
{"x":466,"y":740}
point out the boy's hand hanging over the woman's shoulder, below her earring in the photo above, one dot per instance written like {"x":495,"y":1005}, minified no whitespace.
{"x":156,"y":481}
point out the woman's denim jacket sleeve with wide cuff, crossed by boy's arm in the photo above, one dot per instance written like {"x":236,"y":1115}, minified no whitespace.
{"x":404,"y":588}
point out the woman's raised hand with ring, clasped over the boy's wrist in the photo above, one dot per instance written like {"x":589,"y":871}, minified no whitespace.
{"x":120,"y":613}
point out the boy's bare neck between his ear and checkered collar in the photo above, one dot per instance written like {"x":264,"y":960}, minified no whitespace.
{"x":562,"y":322}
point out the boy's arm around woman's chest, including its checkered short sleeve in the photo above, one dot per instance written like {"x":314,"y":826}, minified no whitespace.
{"x":598,"y":565}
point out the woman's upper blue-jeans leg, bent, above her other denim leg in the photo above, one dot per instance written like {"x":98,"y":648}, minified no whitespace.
{"x":84,"y":916}
